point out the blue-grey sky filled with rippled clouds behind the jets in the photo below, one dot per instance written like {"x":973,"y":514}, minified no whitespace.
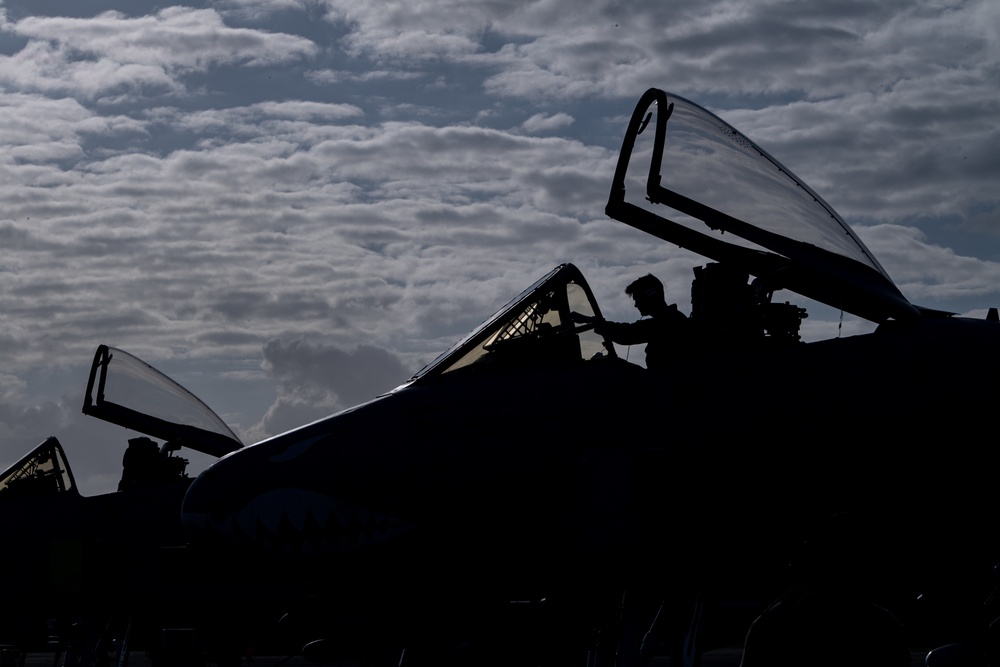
{"x":292,"y":205}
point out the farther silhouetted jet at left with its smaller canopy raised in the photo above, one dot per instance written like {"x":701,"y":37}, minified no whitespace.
{"x":78,"y":572}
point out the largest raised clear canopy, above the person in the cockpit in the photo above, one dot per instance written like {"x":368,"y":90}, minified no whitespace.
{"x":712,"y":180}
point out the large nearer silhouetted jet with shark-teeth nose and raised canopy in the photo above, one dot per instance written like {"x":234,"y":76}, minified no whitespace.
{"x":500,"y":502}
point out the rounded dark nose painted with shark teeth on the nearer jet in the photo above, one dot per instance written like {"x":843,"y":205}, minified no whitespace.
{"x":265,"y":498}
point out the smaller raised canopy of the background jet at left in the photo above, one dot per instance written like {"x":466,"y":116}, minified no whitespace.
{"x":124,"y":390}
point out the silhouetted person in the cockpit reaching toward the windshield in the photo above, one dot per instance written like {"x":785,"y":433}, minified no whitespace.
{"x":662,"y":328}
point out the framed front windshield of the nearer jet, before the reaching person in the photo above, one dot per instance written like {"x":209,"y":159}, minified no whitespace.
{"x":551,"y":322}
